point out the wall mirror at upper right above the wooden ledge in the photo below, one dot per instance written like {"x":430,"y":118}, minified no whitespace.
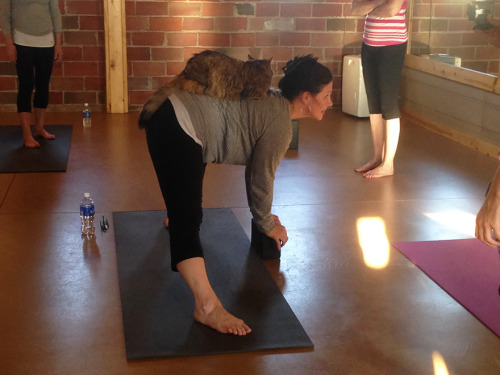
{"x":449,"y":31}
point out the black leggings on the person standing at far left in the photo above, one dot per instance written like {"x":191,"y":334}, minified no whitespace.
{"x":34,"y":68}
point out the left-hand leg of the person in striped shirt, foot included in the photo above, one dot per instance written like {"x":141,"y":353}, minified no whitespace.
{"x":369,"y":58}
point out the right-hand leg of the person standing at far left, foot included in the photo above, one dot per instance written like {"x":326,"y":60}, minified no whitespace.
{"x":44,"y":63}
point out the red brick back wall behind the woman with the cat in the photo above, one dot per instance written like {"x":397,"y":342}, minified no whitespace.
{"x":162,"y":35}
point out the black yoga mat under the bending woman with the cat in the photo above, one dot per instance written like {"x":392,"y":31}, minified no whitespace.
{"x":157,"y":305}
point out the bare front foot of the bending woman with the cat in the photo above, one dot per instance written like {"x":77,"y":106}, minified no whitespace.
{"x":222,"y":321}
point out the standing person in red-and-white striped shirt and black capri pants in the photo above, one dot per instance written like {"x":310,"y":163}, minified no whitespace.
{"x":382,"y":56}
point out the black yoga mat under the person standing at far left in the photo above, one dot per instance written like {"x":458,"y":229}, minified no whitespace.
{"x":51,"y":156}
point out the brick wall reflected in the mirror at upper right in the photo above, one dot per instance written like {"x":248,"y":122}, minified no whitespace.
{"x":442,"y":26}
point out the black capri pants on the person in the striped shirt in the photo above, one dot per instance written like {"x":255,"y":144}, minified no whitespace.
{"x":382,"y":73}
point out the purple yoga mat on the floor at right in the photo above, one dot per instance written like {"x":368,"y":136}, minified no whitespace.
{"x":467,"y":270}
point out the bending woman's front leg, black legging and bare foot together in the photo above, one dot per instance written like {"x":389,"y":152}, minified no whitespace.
{"x":179,"y":167}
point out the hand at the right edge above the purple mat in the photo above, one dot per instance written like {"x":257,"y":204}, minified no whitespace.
{"x":488,"y":221}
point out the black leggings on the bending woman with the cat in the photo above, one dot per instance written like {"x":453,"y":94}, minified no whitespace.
{"x":179,"y":166}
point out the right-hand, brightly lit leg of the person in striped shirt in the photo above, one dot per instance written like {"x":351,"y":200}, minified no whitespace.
{"x":392,"y":61}
